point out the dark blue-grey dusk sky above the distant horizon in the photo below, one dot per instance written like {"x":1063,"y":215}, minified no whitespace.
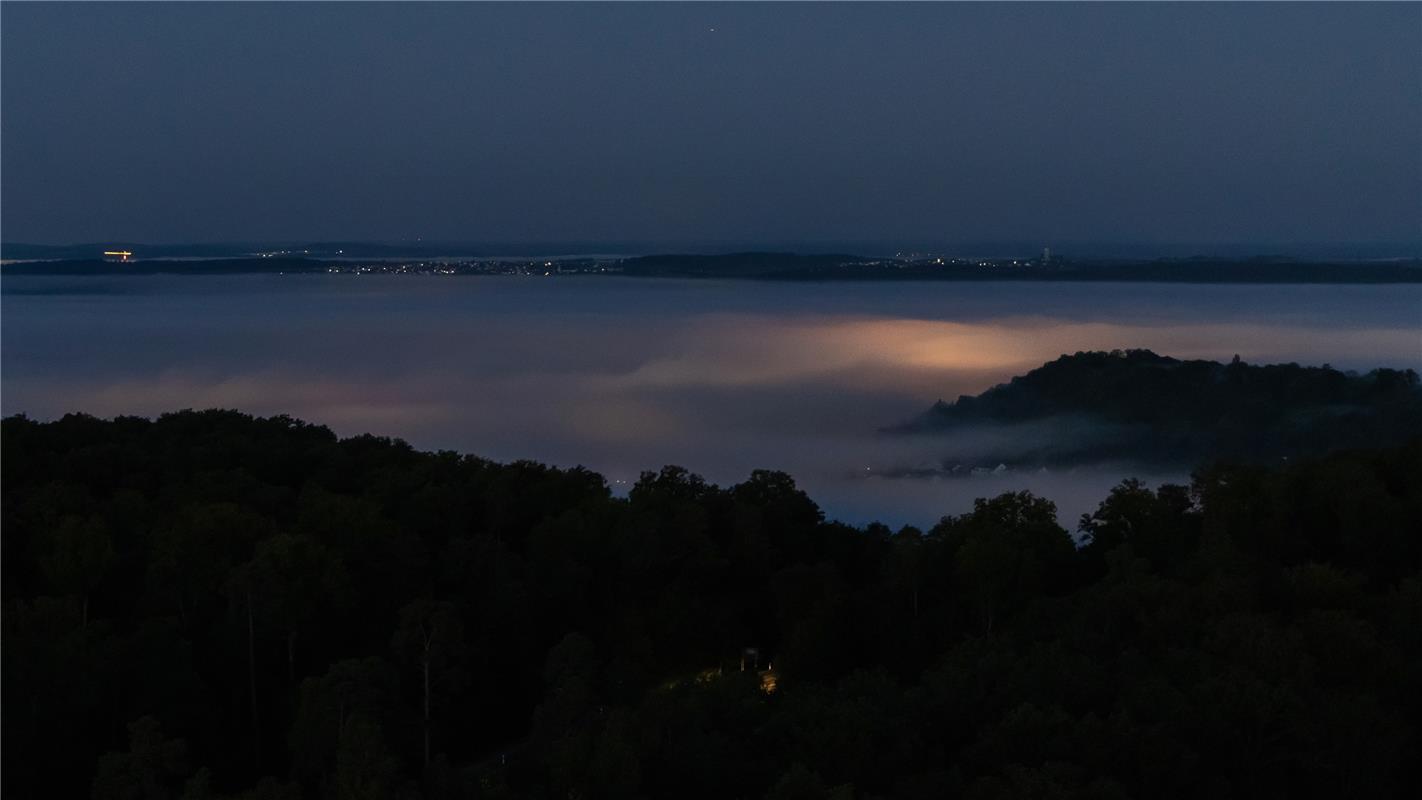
{"x":790,"y":123}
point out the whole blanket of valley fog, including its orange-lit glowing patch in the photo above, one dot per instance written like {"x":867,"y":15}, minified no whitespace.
{"x":626,"y":376}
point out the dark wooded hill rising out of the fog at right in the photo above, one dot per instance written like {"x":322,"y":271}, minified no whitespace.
{"x":1145,"y":409}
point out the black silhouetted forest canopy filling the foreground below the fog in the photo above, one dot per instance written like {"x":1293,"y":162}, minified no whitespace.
{"x":217,"y":606}
